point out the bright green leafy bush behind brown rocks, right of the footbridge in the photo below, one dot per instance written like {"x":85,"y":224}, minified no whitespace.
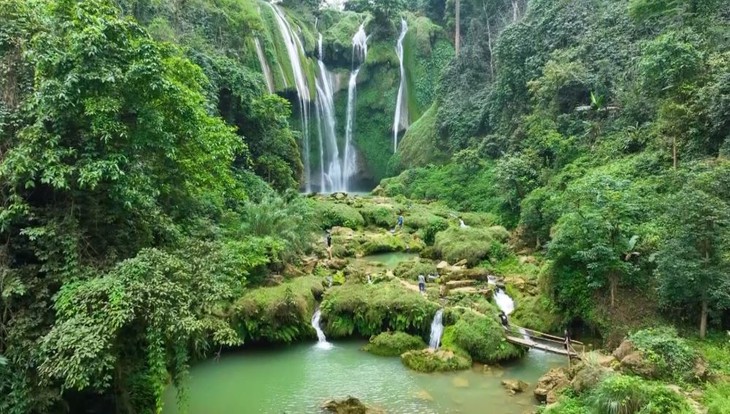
{"x":672,"y":355}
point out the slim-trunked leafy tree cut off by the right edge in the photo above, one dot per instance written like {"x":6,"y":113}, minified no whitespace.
{"x":693,"y":267}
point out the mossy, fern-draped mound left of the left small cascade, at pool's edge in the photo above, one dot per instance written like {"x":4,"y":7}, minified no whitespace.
{"x":279,"y":314}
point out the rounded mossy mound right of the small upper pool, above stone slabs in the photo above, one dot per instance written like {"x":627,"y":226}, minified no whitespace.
{"x":472,"y":244}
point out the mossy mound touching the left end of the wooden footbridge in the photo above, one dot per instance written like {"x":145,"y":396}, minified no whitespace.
{"x":482,"y":337}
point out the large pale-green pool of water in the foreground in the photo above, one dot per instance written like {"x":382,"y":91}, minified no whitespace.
{"x":298,"y":379}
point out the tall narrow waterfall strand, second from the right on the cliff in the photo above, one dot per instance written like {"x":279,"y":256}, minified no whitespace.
{"x":359,"y":54}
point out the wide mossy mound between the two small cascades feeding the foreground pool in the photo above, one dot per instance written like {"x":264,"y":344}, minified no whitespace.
{"x":365,"y":310}
